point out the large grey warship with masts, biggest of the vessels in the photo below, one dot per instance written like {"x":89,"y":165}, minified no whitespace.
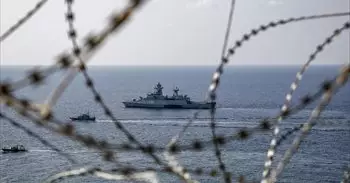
{"x":157,"y":100}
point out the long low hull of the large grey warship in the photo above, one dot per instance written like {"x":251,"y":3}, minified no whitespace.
{"x":167,"y":106}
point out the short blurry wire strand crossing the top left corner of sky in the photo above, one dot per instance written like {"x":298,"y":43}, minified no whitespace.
{"x":21,"y":21}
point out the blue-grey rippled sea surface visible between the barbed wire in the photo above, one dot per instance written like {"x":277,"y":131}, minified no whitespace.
{"x":246,"y":95}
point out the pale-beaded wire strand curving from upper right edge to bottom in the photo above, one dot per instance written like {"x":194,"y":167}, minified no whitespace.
{"x":288,"y":98}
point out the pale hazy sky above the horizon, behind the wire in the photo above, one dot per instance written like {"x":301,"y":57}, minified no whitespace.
{"x":177,"y":32}
